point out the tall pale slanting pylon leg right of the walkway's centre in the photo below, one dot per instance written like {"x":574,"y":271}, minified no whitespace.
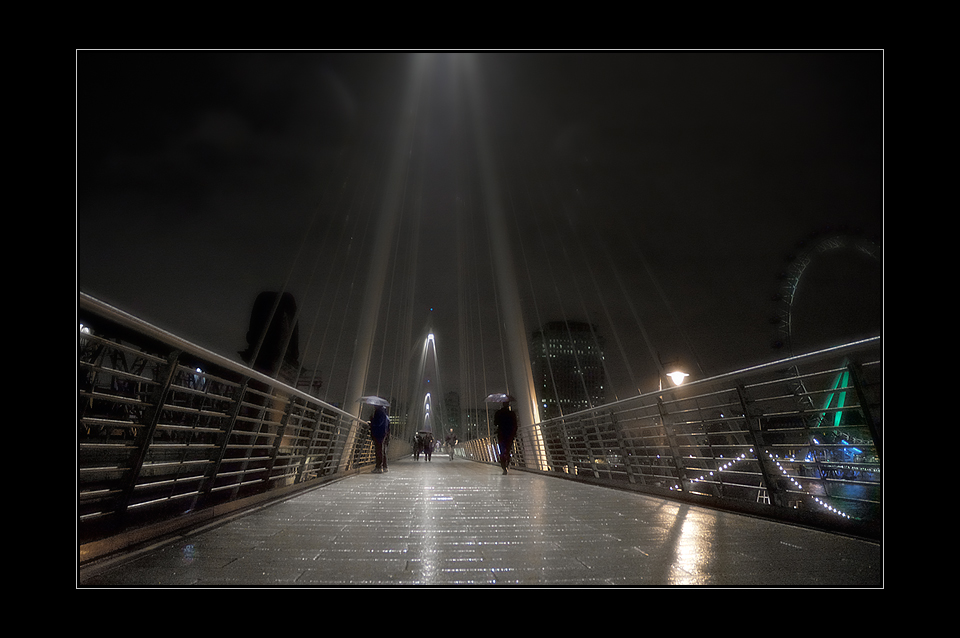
{"x":516,"y":334}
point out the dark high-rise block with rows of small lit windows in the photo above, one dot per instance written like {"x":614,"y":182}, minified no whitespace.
{"x":567,"y":362}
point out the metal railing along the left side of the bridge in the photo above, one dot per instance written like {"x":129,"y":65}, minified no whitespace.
{"x":167,"y":430}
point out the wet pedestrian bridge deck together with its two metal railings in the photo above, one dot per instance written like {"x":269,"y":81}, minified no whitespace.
{"x":194,"y":470}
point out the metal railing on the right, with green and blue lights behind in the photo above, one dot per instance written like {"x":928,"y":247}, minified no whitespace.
{"x":797,"y":439}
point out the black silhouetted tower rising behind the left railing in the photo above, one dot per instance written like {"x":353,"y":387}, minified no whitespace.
{"x":279,"y":343}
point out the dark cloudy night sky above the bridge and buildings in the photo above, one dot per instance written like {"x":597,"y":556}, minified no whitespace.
{"x":645,"y":191}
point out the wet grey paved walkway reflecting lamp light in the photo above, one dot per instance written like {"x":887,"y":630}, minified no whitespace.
{"x":459,"y":523}
